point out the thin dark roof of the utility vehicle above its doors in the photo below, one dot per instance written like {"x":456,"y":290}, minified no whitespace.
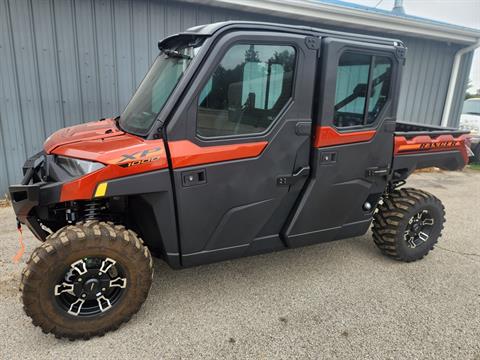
{"x":210,"y":29}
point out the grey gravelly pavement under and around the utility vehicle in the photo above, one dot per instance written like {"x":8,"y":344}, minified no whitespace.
{"x":335,"y":300}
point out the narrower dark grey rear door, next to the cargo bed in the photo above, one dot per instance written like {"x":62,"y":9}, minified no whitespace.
{"x":352,"y":148}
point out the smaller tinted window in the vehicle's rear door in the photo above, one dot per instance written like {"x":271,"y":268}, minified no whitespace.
{"x":363,"y":83}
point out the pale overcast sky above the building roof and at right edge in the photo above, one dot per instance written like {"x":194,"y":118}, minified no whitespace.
{"x":459,"y":12}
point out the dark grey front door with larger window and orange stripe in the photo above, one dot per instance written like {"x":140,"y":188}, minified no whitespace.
{"x":243,"y":131}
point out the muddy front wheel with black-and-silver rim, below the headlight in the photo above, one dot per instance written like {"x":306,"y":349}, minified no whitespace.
{"x":86,"y":279}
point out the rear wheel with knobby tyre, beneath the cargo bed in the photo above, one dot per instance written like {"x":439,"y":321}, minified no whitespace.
{"x":408,"y":223}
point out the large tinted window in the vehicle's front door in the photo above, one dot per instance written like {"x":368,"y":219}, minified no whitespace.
{"x":246,"y":91}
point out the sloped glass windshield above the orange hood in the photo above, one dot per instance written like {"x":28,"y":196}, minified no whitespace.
{"x":158,"y":84}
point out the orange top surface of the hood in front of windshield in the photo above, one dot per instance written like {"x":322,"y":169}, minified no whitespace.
{"x":84,"y":132}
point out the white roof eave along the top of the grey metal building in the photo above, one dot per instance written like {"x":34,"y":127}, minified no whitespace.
{"x":348,"y":17}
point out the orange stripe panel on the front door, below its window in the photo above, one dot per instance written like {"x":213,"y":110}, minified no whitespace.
{"x":185,"y":153}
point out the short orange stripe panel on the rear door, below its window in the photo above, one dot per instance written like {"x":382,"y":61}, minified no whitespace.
{"x":328,"y":136}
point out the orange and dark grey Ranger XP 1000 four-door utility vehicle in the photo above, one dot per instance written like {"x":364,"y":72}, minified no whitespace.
{"x":243,"y":138}
